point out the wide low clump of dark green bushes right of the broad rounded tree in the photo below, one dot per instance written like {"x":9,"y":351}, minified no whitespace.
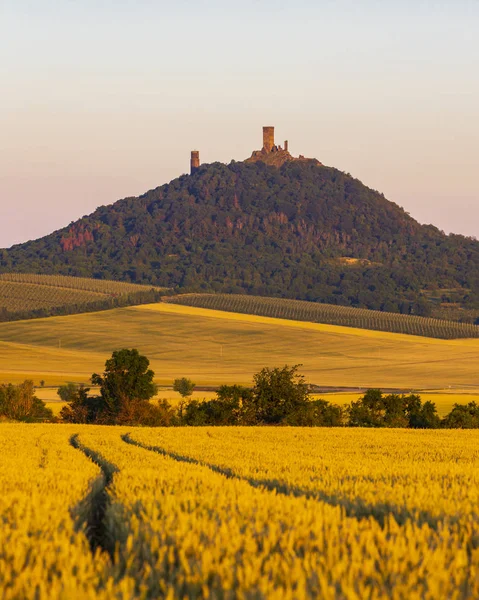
{"x":393,"y":410}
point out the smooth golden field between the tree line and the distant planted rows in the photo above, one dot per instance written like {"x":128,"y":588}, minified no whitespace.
{"x":213,"y":347}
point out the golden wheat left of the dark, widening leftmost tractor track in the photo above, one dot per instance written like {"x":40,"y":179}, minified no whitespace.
{"x":44,"y":552}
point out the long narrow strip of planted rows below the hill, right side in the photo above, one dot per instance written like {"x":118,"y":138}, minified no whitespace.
{"x":330,"y":314}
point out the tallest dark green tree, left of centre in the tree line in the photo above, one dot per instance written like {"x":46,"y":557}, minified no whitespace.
{"x":126,"y":381}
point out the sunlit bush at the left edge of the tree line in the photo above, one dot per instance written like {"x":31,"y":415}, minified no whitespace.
{"x":19,"y":403}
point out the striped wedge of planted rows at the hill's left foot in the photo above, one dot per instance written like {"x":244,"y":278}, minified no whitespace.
{"x":24,"y":296}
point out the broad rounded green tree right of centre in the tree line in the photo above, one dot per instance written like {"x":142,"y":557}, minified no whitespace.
{"x":278,"y":393}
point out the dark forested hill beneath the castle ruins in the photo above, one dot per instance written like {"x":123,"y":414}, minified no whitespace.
{"x":301,"y":231}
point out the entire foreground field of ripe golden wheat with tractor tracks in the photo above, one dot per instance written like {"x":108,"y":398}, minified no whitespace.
{"x":238,"y":513}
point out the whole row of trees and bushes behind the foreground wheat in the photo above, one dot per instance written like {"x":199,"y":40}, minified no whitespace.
{"x":278,"y":396}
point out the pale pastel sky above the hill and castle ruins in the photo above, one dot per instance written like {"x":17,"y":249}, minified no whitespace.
{"x":104,"y":99}
